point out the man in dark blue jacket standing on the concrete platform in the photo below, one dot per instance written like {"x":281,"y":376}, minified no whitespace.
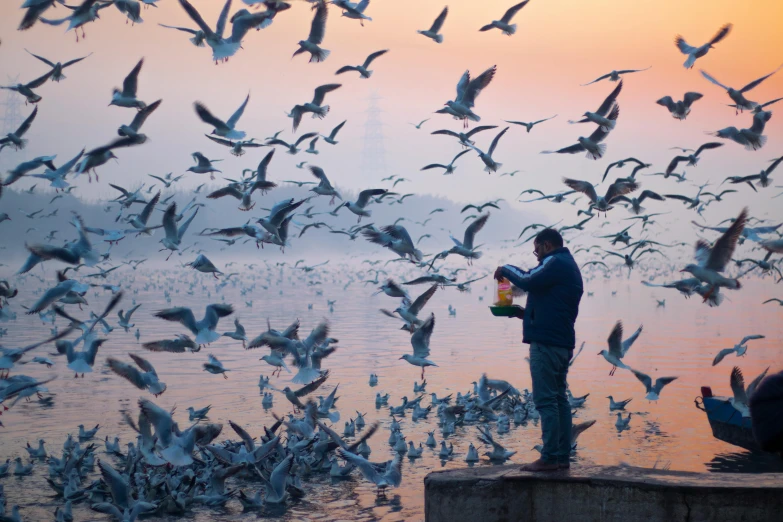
{"x":554,"y":290}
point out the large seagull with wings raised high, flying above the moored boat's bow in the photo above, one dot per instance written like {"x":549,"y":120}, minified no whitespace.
{"x":710,"y":261}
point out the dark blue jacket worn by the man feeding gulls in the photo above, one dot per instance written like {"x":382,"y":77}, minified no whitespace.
{"x":554,"y":290}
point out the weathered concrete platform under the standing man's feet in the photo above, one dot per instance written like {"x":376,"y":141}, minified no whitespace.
{"x":600,"y":493}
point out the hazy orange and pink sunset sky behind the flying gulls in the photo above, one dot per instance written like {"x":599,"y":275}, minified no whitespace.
{"x":559,"y":44}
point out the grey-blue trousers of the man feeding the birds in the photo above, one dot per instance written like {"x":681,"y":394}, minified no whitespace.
{"x":549,"y":368}
